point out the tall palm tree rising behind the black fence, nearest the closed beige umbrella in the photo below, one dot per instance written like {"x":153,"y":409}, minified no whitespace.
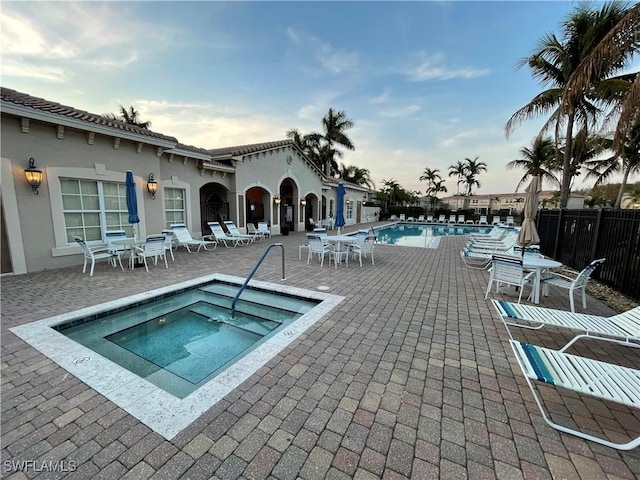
{"x":554,"y":64}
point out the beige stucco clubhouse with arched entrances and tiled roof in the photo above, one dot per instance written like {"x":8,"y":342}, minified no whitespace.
{"x":84,"y":158}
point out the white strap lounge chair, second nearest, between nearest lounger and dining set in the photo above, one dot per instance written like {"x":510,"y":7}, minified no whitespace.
{"x":623,"y":328}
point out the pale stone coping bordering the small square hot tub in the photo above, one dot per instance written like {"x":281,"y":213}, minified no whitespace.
{"x":162,"y":412}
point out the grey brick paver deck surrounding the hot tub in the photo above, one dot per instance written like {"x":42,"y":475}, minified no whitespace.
{"x":411,"y":376}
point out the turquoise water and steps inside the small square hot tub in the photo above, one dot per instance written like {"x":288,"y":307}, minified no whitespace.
{"x":181,"y":341}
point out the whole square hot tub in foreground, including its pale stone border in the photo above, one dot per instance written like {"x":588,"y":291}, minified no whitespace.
{"x":120,"y":327}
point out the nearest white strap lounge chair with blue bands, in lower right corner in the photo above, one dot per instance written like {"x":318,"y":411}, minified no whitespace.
{"x":606,"y":381}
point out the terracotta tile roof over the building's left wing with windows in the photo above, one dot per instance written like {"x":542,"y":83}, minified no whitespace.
{"x":23,"y":100}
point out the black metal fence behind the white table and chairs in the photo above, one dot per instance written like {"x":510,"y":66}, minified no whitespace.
{"x":576,"y":237}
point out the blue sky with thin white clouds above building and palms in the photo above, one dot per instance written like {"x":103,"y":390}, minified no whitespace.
{"x":426,"y":84}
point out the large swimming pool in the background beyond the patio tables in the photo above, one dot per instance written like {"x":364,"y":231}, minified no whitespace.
{"x":424,"y":236}
